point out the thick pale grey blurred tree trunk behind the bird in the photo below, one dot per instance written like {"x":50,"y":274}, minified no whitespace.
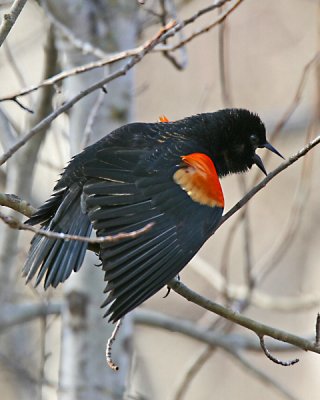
{"x":111,"y":26}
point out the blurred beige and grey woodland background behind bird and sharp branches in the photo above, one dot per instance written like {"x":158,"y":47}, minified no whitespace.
{"x":263,"y":262}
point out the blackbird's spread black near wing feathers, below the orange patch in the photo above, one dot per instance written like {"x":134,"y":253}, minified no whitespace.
{"x":126,"y":190}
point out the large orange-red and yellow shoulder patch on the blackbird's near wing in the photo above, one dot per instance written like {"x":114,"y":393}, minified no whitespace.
{"x":199,"y":178}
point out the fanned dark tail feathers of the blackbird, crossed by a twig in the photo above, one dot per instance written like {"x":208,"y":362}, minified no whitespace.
{"x":54,"y":258}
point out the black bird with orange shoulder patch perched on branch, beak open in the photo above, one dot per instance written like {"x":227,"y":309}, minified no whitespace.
{"x":166,"y":173}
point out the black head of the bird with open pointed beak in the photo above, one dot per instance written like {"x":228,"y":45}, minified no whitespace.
{"x":239,"y":134}
